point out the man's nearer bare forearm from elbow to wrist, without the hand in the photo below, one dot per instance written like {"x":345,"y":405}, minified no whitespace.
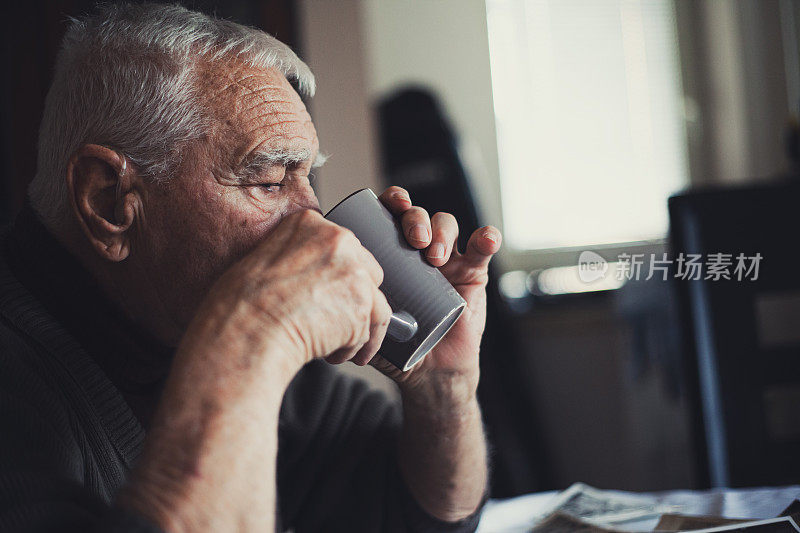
{"x":210,"y":455}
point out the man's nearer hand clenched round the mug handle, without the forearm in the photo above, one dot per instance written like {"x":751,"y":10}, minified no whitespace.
{"x":313,"y":284}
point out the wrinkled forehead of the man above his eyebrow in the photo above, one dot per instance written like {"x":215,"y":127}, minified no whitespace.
{"x":256,"y":108}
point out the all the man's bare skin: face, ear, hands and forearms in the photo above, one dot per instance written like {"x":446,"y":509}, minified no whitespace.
{"x":241,"y":273}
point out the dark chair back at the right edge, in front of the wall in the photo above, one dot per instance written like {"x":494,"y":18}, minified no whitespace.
{"x":742,"y":337}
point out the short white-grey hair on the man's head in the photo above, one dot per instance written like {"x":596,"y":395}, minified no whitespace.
{"x":125,"y":78}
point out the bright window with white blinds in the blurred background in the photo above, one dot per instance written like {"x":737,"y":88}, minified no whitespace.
{"x":589,"y":115}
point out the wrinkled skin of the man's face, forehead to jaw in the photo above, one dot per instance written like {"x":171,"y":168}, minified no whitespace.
{"x":202,"y":220}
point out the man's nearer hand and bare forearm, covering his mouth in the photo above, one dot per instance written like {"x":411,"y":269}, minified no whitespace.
{"x":309,"y":290}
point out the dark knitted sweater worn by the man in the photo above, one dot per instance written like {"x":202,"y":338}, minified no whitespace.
{"x":74,"y":379}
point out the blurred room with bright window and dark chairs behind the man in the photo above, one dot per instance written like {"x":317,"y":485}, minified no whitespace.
{"x":568,"y":124}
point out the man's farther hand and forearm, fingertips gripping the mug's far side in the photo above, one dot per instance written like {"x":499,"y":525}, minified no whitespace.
{"x":442,"y":449}
